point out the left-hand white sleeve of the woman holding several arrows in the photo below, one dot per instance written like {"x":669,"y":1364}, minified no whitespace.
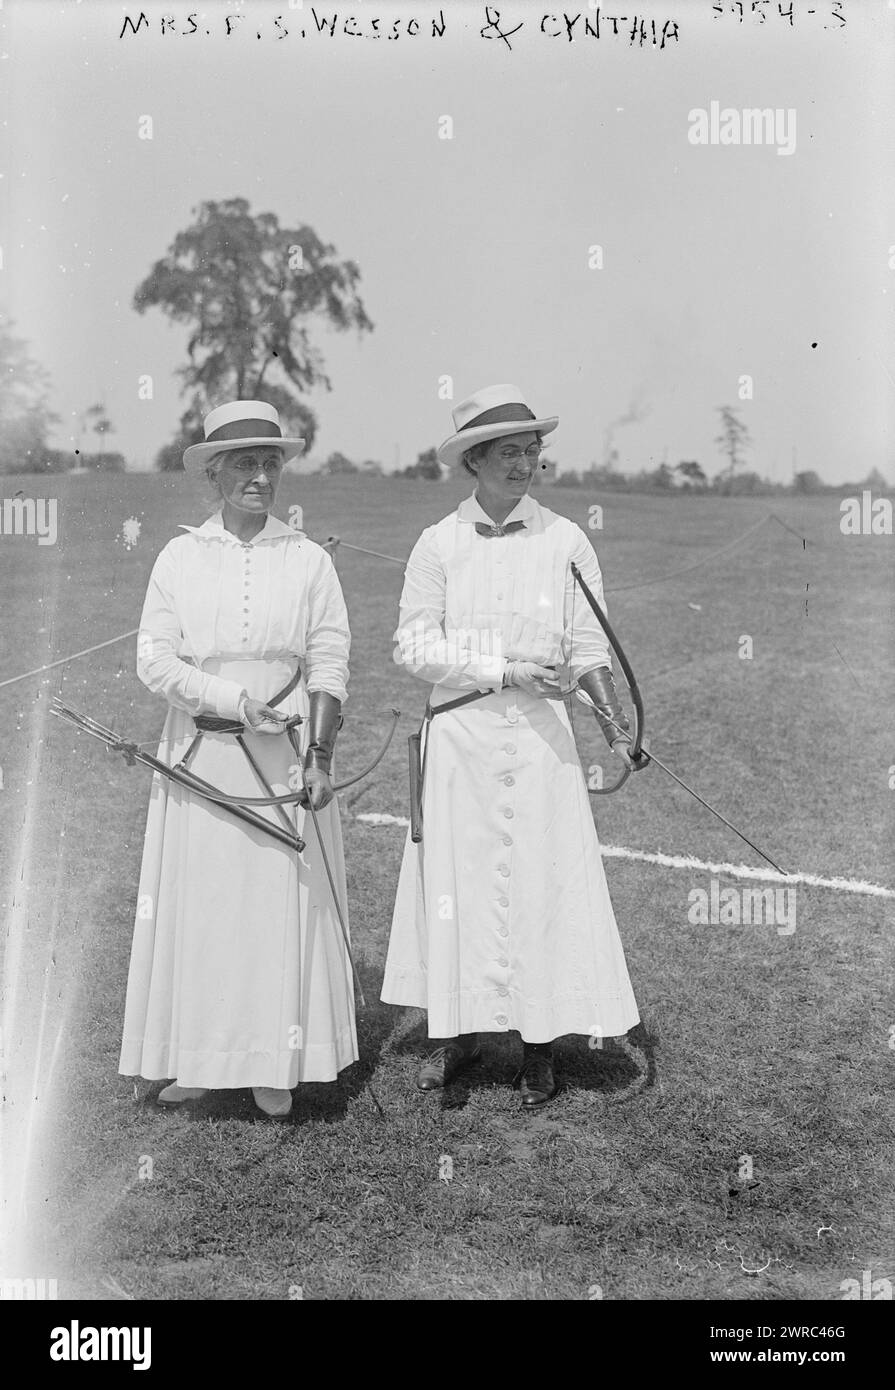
{"x":158,"y":664}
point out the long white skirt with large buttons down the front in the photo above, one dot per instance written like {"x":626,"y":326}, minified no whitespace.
{"x":502,"y":918}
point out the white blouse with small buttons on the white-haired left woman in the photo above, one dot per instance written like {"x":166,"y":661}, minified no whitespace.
{"x":212,"y":596}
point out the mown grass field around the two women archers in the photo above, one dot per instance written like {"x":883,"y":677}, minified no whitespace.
{"x":753,"y":1043}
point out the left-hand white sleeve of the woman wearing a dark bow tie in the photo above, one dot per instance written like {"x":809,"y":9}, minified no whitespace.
{"x":425,"y":648}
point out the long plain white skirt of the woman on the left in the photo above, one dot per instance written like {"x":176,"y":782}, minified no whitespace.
{"x":238,"y":974}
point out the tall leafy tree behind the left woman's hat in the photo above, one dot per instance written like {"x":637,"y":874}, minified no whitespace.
{"x":249,"y":290}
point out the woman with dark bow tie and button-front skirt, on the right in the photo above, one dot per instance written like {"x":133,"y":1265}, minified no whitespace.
{"x":502,"y":918}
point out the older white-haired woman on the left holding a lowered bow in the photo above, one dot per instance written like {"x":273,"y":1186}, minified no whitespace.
{"x":240,"y":972}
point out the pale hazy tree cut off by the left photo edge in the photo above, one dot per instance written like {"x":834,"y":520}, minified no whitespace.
{"x":26,"y":416}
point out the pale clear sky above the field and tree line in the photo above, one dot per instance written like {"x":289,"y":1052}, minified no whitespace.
{"x":719,"y":262}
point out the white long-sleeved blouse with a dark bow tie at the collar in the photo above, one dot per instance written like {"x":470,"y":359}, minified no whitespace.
{"x":472,"y":604}
